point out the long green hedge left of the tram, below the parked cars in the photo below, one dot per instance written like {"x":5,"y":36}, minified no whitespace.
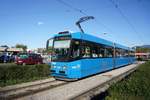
{"x":12,"y":74}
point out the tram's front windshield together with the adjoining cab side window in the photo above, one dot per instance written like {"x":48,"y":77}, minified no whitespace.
{"x":65,"y":50}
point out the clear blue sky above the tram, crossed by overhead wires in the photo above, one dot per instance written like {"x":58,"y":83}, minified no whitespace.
{"x":33,"y":22}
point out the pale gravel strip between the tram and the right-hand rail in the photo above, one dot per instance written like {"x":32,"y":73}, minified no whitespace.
{"x":74,"y":89}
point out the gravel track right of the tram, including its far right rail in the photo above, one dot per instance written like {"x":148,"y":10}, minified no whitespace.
{"x":86,"y":88}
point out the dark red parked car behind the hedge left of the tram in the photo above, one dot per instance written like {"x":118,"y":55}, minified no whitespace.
{"x":29,"y":58}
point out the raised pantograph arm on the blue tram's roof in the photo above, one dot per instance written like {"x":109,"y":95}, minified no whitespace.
{"x":83,"y":19}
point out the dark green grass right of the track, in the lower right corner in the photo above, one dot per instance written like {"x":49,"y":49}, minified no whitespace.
{"x":134,"y":87}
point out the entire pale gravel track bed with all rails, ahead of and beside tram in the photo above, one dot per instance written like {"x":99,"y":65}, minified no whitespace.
{"x":82,"y":89}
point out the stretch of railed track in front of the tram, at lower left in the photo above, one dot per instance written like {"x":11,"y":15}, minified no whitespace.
{"x":20,"y":91}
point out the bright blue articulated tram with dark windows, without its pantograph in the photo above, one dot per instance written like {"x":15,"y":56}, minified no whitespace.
{"x":78,"y":55}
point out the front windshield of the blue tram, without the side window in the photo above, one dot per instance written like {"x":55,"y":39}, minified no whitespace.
{"x":61,"y":50}
